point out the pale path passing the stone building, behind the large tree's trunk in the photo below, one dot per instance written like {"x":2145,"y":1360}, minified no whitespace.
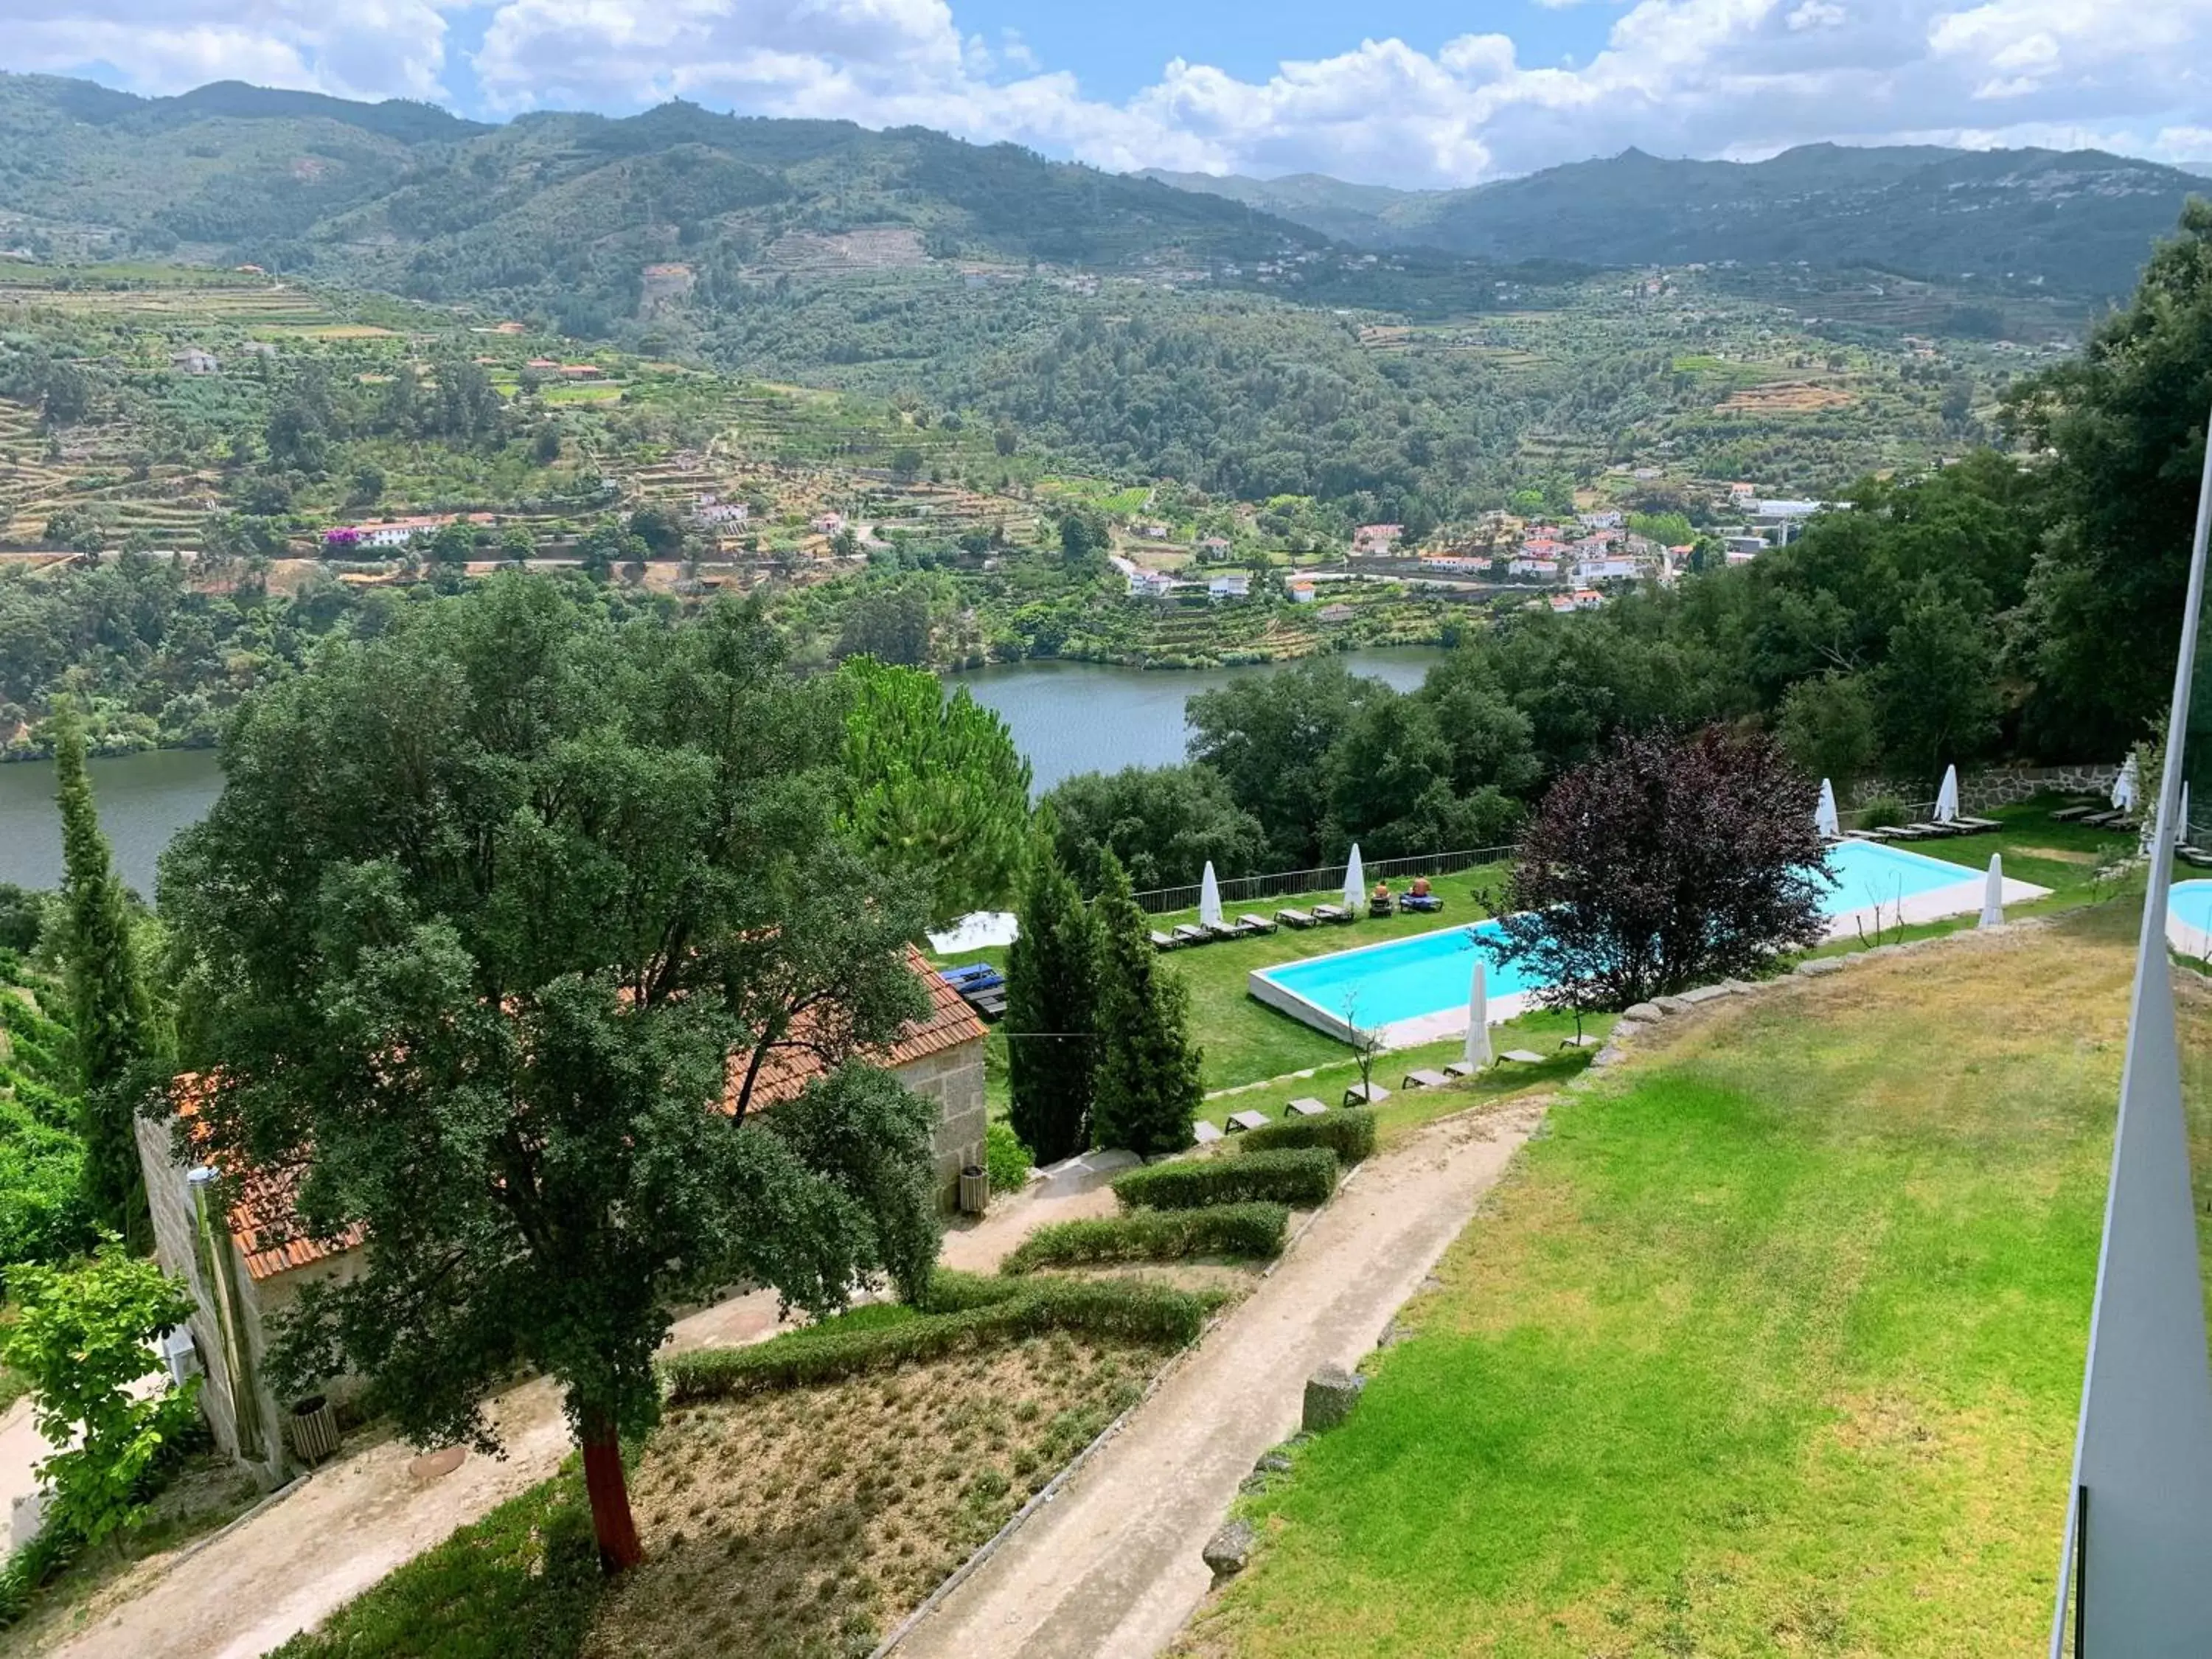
{"x":355,"y":1521}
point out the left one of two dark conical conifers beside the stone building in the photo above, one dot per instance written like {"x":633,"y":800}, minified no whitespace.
{"x":1052,"y":1012}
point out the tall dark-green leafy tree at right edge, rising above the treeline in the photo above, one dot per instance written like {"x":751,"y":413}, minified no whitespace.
{"x":2127,"y":424}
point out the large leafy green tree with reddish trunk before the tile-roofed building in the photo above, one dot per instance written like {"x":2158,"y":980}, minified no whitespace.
{"x":494,"y":935}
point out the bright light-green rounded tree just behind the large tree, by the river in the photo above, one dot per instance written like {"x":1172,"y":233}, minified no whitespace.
{"x":935,"y":786}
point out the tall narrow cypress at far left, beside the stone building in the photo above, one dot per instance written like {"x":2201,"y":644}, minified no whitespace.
{"x":107,"y":999}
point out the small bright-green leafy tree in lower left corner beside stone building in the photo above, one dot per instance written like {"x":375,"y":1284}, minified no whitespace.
{"x":85,"y":1337}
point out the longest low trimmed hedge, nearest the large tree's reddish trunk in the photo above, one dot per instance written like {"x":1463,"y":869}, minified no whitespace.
{"x":831,"y":1355}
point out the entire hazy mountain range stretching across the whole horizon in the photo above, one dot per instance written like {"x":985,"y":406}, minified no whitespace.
{"x":570,"y":211}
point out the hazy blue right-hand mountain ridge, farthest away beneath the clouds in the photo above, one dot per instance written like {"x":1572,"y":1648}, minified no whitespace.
{"x":2072,"y":220}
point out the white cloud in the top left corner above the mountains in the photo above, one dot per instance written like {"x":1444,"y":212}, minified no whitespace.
{"x":346,"y":48}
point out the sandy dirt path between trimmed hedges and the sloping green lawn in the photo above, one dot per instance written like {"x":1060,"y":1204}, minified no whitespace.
{"x":1112,"y":1569}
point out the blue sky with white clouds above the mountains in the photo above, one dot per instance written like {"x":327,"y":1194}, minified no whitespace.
{"x":1415,"y":94}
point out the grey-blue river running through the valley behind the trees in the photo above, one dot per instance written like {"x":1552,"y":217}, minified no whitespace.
{"x":1065,"y":718}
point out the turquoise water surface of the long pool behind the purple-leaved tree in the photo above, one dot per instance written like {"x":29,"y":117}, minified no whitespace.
{"x":1430,"y":972}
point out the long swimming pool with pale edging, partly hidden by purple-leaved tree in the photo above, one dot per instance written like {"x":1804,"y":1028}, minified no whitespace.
{"x":1415,"y":990}
